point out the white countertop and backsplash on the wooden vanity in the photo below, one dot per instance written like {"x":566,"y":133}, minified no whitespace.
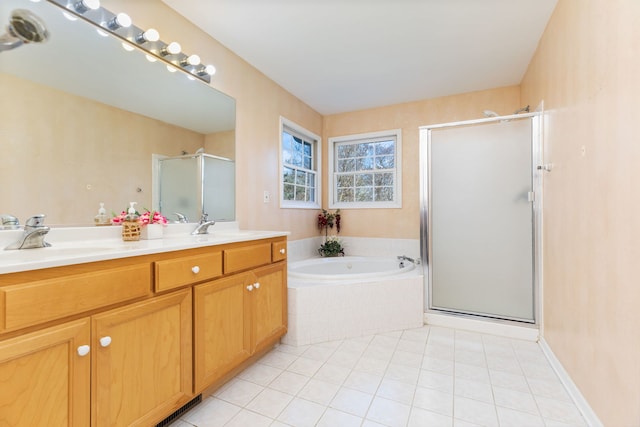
{"x":76,"y":245}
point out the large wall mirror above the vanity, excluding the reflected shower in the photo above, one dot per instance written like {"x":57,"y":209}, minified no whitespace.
{"x":82,"y":120}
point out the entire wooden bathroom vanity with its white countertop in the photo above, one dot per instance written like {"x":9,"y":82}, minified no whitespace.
{"x":129,"y":332}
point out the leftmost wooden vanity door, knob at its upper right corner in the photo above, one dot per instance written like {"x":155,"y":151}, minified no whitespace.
{"x":45,"y":377}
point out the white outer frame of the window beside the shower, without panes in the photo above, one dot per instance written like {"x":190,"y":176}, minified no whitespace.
{"x":397,"y":179}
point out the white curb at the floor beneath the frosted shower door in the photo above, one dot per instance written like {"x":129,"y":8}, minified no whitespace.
{"x":482,"y":326}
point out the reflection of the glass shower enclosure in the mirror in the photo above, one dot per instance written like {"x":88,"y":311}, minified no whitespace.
{"x":194,"y":184}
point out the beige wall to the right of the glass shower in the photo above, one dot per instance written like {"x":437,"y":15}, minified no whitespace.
{"x":587,"y":70}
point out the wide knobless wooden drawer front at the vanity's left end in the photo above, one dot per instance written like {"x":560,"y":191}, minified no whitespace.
{"x":40,"y":301}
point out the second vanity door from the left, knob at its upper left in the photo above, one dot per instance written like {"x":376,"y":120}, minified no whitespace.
{"x":142,"y":369}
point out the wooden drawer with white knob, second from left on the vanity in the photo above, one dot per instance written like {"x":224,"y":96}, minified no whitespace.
{"x":183,"y":271}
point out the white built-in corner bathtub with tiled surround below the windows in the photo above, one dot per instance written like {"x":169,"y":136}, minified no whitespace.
{"x":347,"y":297}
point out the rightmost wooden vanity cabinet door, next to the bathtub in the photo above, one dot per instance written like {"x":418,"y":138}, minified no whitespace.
{"x":268,"y":305}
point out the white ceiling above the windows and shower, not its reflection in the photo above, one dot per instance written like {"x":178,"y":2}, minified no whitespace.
{"x":347,"y":55}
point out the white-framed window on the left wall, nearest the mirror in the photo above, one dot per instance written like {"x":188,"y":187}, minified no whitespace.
{"x":300,"y":160}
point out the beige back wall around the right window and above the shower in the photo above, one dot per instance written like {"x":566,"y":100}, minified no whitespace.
{"x":404,"y":223}
